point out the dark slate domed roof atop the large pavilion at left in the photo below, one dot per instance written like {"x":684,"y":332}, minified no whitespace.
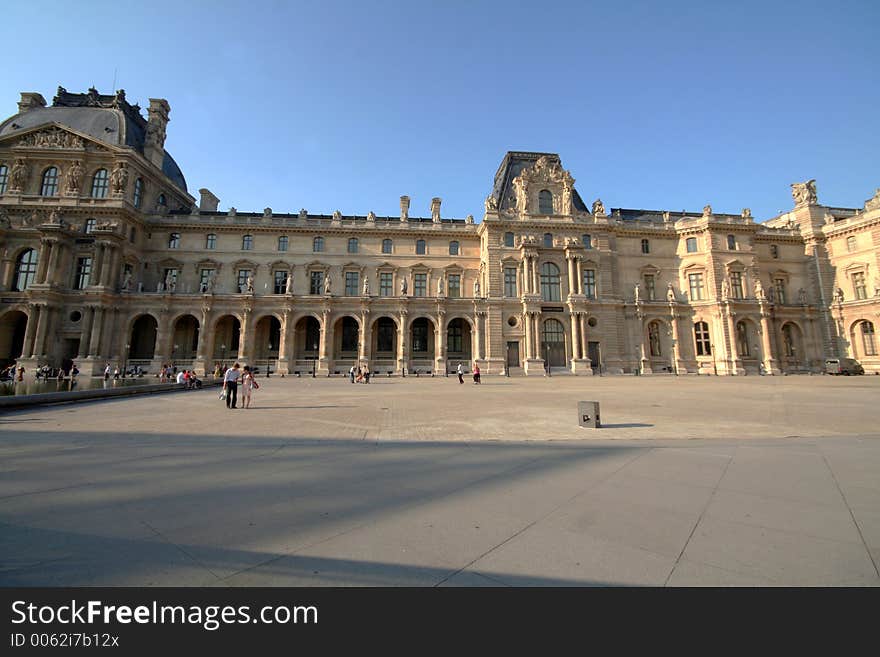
{"x":108,"y":119}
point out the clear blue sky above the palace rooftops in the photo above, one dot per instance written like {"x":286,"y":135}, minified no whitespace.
{"x":329,"y":105}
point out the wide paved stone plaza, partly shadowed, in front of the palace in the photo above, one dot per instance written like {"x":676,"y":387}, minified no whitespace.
{"x":425,"y":482}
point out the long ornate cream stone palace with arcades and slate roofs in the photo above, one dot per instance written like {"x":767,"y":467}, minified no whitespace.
{"x":107,"y":257}
